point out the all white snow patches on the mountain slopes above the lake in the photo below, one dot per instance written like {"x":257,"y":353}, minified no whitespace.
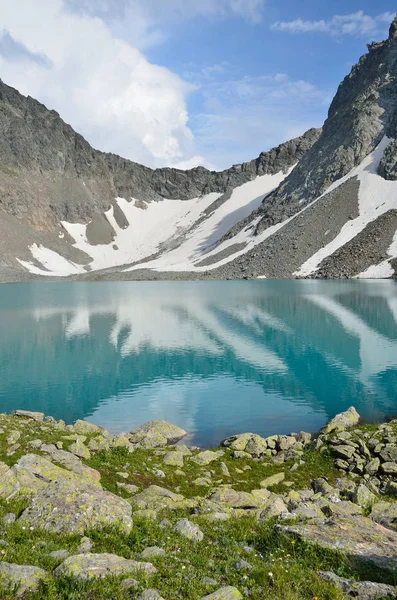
{"x":177,"y":235}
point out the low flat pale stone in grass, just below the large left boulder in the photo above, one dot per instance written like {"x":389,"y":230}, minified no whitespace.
{"x":91,"y":566}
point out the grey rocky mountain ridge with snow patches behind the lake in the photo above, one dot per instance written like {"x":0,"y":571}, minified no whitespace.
{"x":322,"y":205}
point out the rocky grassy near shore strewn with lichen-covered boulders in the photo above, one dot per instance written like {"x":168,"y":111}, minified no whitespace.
{"x":87,"y":514}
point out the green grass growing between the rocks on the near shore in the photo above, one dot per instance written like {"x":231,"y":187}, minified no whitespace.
{"x":281,"y":568}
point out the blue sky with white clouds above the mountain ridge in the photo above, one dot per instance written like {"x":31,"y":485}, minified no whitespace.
{"x":186,"y":82}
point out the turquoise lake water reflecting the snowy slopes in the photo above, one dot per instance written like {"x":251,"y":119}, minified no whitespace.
{"x":216,"y":358}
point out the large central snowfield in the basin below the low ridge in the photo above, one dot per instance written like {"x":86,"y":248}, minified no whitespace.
{"x":166,"y":228}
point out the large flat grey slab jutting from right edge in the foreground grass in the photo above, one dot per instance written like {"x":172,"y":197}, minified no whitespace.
{"x":356,"y":536}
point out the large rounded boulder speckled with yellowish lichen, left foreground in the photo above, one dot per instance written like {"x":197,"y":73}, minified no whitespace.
{"x":75,"y":508}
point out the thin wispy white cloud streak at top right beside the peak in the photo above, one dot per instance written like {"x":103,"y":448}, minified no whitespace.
{"x":357,"y":23}
